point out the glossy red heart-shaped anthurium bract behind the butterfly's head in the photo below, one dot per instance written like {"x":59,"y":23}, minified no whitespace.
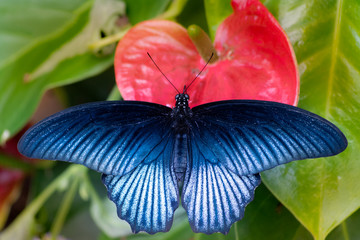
{"x":256,"y":61}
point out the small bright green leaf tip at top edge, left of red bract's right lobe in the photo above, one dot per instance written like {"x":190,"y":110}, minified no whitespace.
{"x":216,"y":11}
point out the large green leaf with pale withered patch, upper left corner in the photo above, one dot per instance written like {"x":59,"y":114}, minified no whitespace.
{"x":46,"y":45}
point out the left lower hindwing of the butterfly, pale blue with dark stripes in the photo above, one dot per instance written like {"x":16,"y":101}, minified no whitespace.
{"x":147,"y":196}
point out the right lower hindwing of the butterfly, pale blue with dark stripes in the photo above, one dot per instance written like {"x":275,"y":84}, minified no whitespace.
{"x":213,"y":196}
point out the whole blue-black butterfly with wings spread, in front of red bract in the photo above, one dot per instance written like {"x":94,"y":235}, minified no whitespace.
{"x":212,"y":153}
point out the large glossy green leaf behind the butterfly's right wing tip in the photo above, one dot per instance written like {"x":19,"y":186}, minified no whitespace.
{"x":321,"y":193}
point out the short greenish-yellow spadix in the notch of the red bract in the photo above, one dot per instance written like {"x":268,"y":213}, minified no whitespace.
{"x":202,"y":43}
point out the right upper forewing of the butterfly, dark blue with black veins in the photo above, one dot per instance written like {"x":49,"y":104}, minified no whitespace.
{"x":249,"y":137}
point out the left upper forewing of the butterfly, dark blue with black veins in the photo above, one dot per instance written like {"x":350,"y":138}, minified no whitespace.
{"x":109,"y":137}
